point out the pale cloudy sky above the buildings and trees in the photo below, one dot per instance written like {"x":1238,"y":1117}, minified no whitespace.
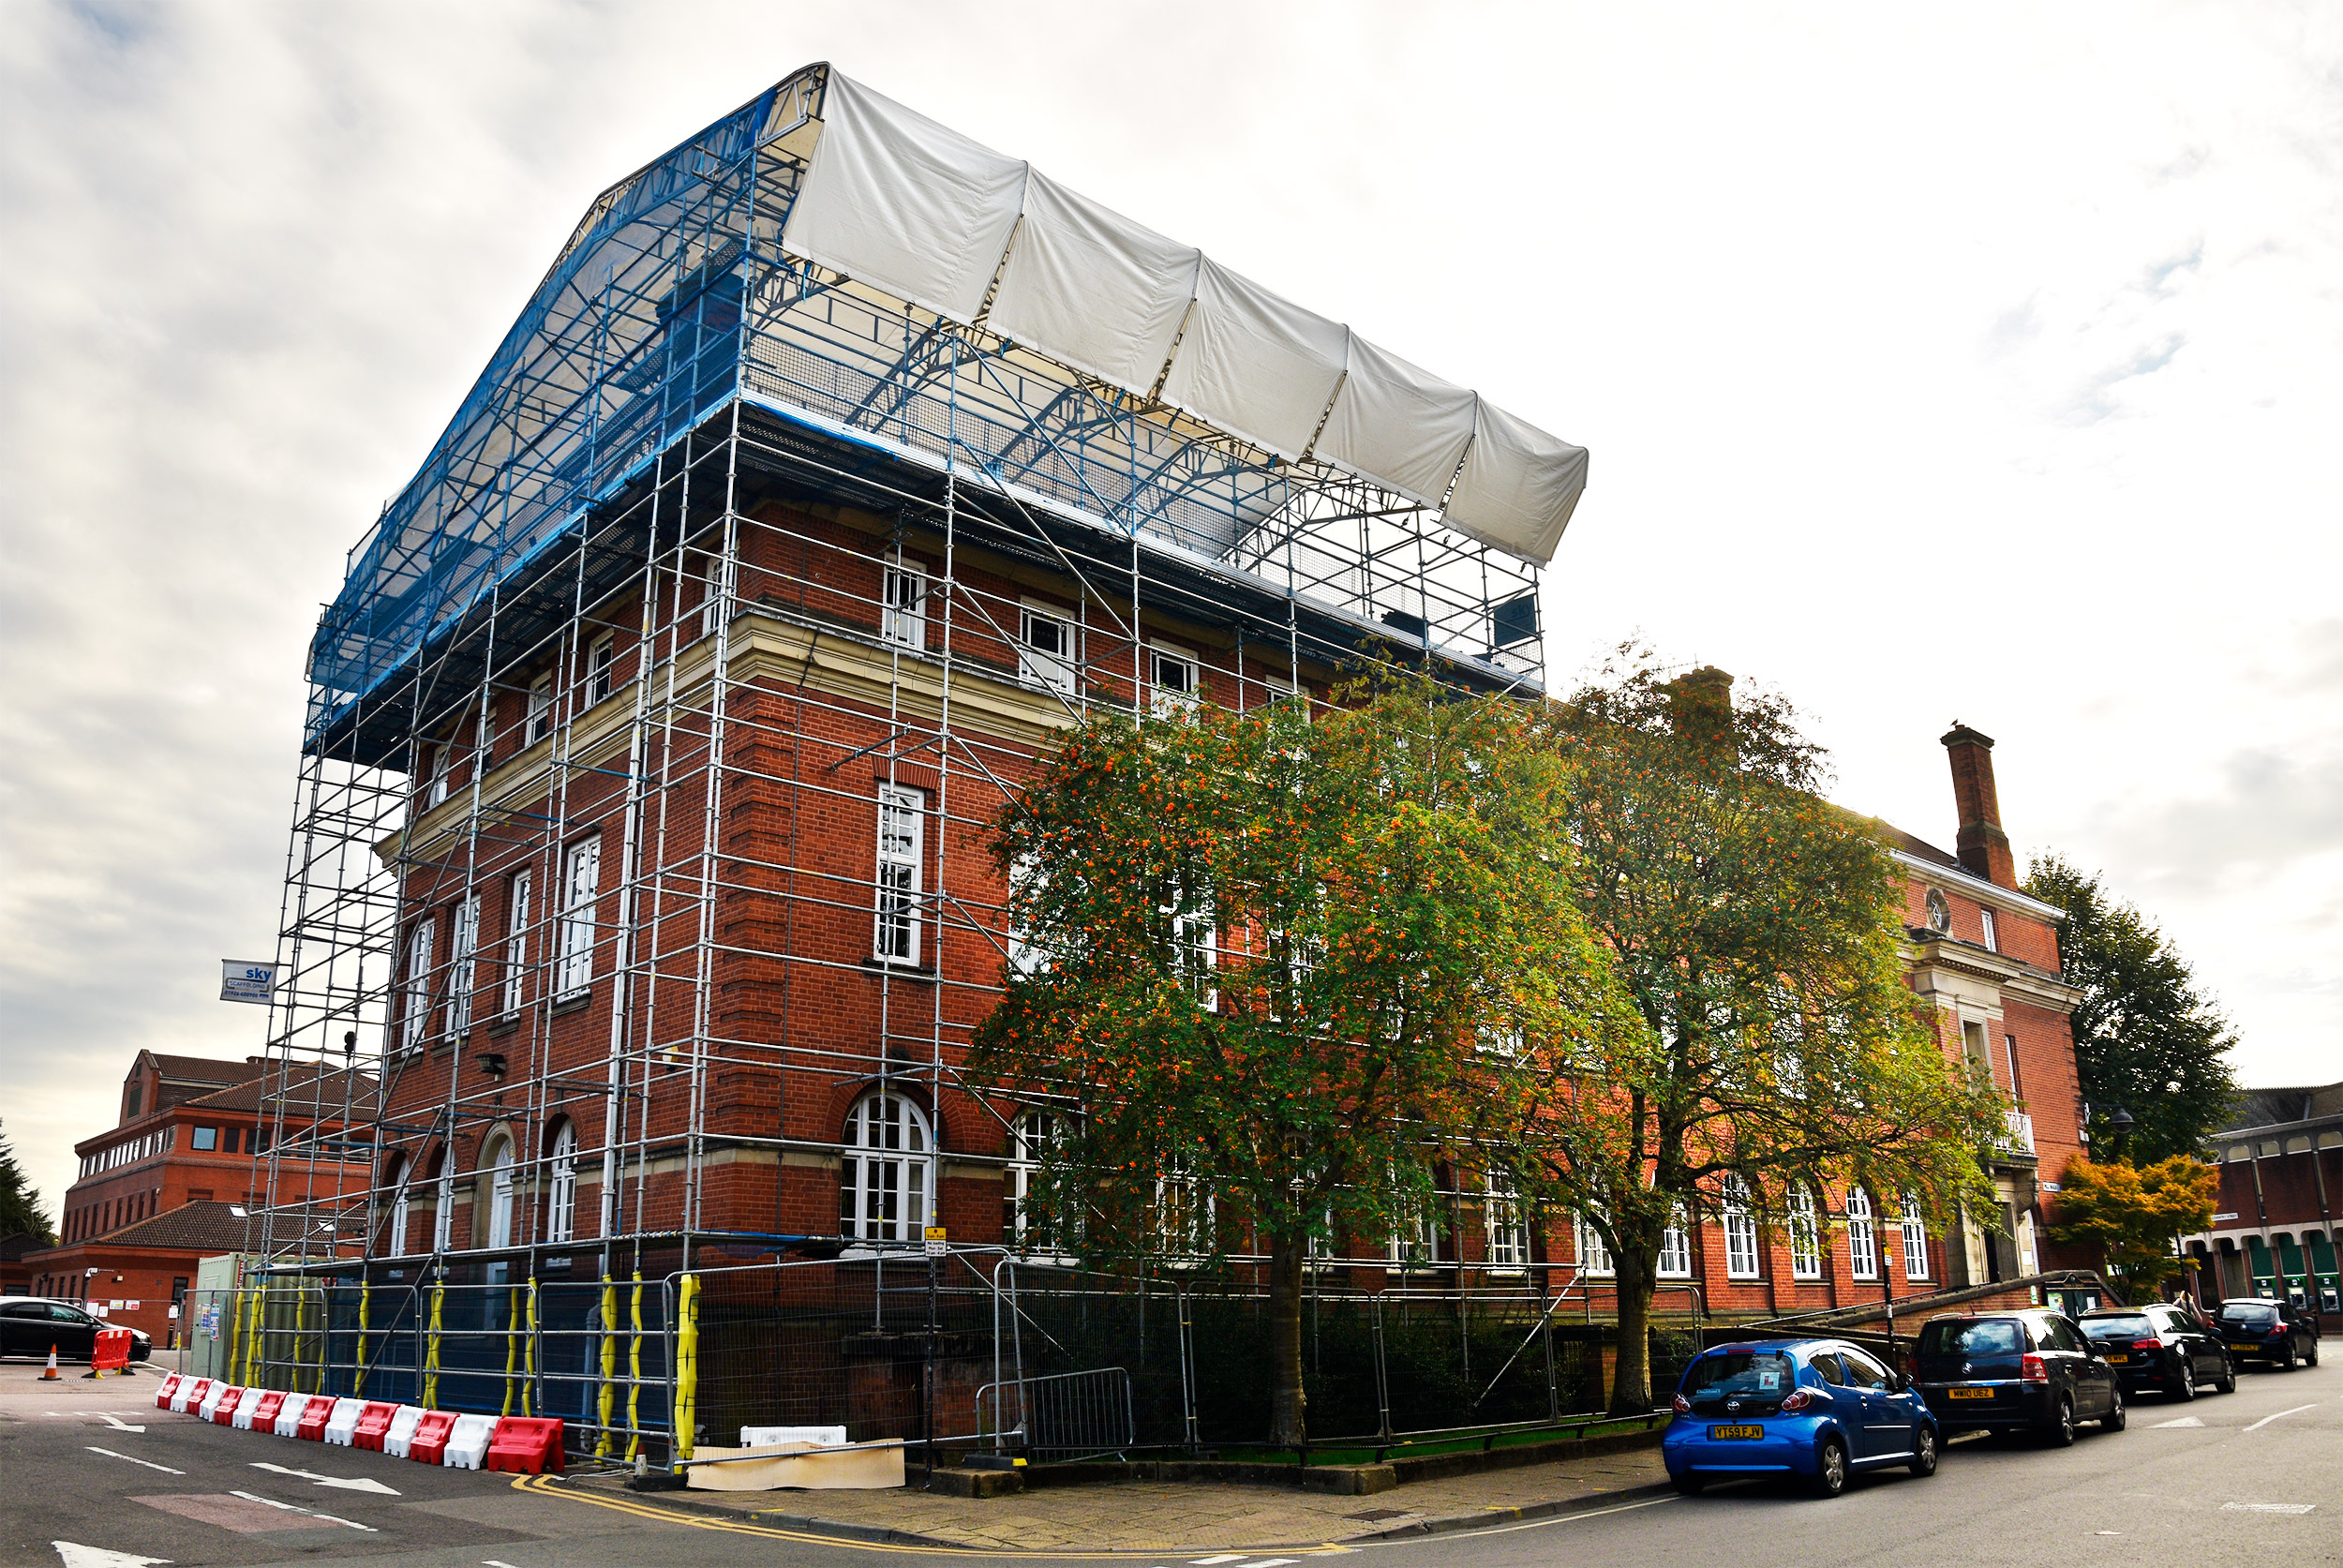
{"x":1936,"y":362}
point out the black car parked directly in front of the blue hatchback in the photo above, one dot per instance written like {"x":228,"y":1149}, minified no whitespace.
{"x":2016,"y":1372}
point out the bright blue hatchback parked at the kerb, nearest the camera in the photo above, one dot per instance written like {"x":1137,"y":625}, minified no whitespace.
{"x":1796,"y":1407}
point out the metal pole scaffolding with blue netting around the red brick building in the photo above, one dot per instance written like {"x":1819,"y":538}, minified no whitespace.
{"x":720,"y":545}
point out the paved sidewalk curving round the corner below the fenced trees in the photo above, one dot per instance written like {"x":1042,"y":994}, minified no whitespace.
{"x":1177,"y":1515}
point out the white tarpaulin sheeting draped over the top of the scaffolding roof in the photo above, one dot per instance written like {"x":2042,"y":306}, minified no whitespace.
{"x":927,"y":214}
